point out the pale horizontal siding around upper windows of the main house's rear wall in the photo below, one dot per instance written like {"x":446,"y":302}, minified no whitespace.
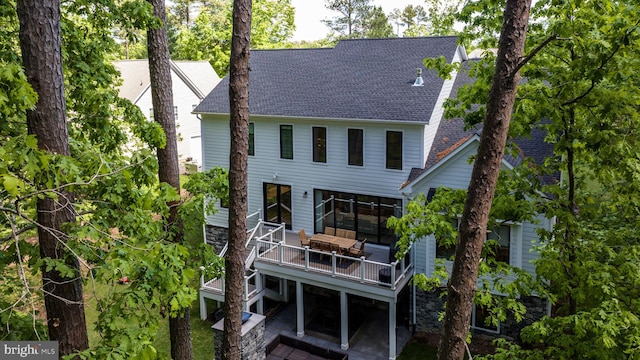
{"x":301,"y":173}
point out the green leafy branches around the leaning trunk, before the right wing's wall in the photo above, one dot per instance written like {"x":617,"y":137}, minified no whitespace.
{"x":423,"y":219}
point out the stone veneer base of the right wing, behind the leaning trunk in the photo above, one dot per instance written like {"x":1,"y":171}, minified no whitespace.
{"x":429,"y":305}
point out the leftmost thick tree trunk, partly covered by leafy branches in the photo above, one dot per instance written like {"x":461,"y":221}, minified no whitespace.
{"x":40,"y":43}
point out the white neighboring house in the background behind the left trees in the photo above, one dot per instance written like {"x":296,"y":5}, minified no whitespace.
{"x":191,"y":80}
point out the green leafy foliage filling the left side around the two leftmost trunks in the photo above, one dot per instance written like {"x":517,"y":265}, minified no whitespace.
{"x":118,"y":201}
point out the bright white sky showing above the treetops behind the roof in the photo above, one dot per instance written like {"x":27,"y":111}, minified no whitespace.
{"x":309,"y":14}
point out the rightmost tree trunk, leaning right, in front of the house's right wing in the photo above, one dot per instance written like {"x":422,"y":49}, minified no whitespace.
{"x":462,"y":285}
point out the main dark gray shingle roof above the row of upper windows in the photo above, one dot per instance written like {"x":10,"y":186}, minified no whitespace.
{"x":358,"y":79}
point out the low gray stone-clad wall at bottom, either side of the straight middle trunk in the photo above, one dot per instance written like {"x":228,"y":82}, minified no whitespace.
{"x":253,"y":342}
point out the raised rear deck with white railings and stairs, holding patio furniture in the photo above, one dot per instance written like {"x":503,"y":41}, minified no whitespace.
{"x":271,"y":250}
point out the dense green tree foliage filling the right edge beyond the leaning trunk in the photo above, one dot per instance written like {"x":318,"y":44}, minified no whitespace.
{"x":582,"y":88}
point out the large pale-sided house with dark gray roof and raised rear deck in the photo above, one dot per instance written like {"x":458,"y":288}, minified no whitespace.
{"x":345,"y":138}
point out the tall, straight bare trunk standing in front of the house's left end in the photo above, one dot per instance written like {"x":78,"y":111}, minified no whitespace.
{"x":239,"y":127}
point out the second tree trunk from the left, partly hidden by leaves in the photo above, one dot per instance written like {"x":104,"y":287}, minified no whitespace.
{"x":168,"y":171}
